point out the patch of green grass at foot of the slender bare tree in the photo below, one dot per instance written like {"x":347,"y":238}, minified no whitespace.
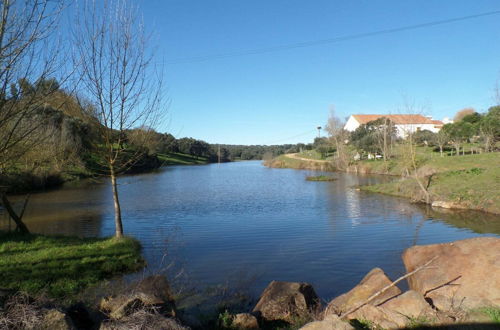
{"x":63,"y":266}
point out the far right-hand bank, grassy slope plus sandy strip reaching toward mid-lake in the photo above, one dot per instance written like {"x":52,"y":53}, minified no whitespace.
{"x":460,"y":182}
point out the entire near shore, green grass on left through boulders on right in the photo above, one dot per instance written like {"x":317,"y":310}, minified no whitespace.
{"x":71,"y":265}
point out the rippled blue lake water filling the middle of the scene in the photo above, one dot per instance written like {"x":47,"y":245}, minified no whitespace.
{"x":243,"y":224}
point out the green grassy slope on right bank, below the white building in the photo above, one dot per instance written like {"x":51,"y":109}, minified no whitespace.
{"x":469,"y":182}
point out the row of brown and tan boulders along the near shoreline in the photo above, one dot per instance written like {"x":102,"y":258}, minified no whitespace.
{"x":450,"y":284}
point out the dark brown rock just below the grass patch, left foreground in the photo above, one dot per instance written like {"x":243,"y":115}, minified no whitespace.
{"x":152,"y":293}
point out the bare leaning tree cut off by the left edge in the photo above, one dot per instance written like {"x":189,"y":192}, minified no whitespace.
{"x":28,"y":53}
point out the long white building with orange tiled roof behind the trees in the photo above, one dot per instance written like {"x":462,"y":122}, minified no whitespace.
{"x":404,"y":123}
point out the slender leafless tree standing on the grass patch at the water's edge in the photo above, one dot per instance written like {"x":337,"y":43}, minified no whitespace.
{"x":119,"y":80}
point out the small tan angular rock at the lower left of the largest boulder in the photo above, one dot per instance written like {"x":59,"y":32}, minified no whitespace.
{"x":410,"y":304}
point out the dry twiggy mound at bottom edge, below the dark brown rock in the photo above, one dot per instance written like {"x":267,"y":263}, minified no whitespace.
{"x":144,"y":321}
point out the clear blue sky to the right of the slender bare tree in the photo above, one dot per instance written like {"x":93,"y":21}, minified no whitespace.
{"x":281,"y":96}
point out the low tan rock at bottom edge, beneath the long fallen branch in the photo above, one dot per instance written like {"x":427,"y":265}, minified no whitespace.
{"x":380,"y":316}
